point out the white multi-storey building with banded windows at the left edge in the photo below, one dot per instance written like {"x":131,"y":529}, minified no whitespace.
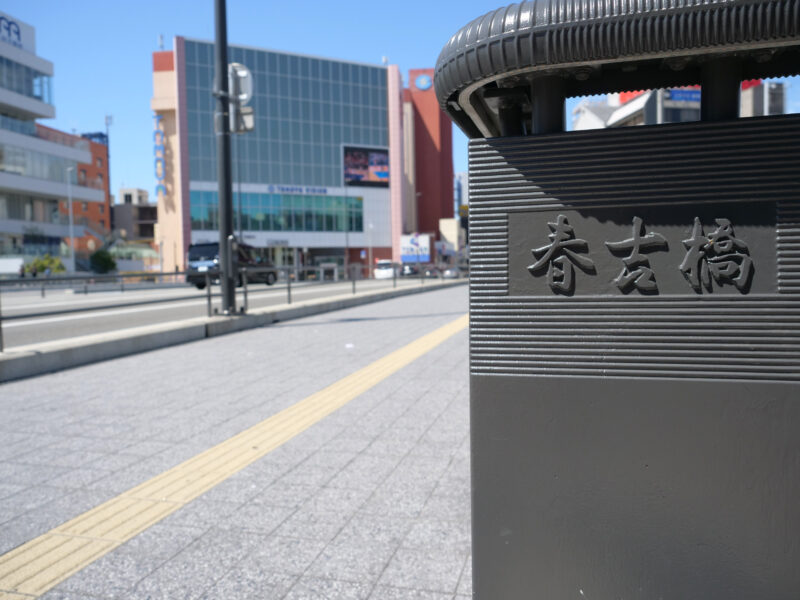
{"x":40,"y":168}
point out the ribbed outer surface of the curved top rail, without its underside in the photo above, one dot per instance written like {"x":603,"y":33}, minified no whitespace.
{"x":572,"y":32}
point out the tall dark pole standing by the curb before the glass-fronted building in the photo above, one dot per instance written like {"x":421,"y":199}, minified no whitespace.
{"x":222,"y":124}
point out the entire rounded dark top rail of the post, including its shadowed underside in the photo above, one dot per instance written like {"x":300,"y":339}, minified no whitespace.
{"x":600,"y":46}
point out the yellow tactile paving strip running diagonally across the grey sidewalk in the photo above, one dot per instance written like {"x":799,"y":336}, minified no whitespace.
{"x":37,"y":566}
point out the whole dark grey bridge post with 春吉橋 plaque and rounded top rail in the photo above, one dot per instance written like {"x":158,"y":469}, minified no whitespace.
{"x":634,"y":304}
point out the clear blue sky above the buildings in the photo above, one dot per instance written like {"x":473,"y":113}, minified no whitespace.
{"x":102,"y":53}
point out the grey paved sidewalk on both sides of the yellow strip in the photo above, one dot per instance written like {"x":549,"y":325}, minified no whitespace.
{"x":372,"y":502}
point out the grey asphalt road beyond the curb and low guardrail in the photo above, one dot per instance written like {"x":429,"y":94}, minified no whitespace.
{"x":30,"y":319}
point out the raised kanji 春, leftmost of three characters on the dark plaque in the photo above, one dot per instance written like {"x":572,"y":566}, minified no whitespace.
{"x":560,"y":255}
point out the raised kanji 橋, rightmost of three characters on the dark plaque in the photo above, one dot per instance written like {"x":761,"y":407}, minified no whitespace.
{"x":719,"y":256}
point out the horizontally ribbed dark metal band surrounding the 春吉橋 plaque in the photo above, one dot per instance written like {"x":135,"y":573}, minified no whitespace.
{"x":754,"y":162}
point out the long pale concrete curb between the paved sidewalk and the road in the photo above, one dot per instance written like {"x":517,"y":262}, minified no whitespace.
{"x":29,"y":361}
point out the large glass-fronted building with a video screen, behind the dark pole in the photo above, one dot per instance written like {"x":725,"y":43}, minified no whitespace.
{"x":321,"y":177}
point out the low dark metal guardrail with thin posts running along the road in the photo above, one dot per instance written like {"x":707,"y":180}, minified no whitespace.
{"x":159,"y":280}
